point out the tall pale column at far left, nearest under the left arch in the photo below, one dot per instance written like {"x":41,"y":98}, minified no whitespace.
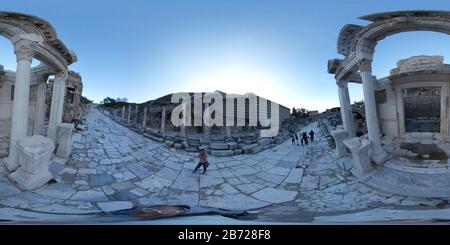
{"x":19,"y":120}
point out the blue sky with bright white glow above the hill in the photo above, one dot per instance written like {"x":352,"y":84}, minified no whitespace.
{"x":278,"y":49}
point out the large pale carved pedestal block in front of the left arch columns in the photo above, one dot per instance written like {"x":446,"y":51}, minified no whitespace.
{"x":34,"y":161}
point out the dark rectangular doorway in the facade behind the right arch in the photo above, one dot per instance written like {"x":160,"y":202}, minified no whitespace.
{"x":422,"y":109}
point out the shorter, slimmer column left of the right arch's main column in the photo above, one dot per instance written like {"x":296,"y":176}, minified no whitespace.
{"x":346,"y":109}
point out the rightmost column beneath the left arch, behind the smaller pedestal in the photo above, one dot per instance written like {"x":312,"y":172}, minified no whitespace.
{"x":57,"y":106}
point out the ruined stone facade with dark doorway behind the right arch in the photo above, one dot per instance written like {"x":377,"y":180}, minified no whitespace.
{"x":414,"y":98}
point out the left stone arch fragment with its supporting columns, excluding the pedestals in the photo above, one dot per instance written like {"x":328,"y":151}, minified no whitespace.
{"x":33,"y":37}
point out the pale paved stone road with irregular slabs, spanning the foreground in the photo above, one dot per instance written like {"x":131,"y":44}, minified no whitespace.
{"x":113,"y":168}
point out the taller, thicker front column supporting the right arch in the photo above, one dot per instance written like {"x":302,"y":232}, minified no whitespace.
{"x":377,"y":153}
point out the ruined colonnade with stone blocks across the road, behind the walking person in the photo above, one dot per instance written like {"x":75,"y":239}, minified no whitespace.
{"x":152,"y":119}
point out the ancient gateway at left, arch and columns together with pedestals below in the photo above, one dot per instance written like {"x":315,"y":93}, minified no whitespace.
{"x":31,"y":96}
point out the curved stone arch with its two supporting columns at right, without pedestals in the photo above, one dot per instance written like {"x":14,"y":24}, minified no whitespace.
{"x":357,"y":43}
